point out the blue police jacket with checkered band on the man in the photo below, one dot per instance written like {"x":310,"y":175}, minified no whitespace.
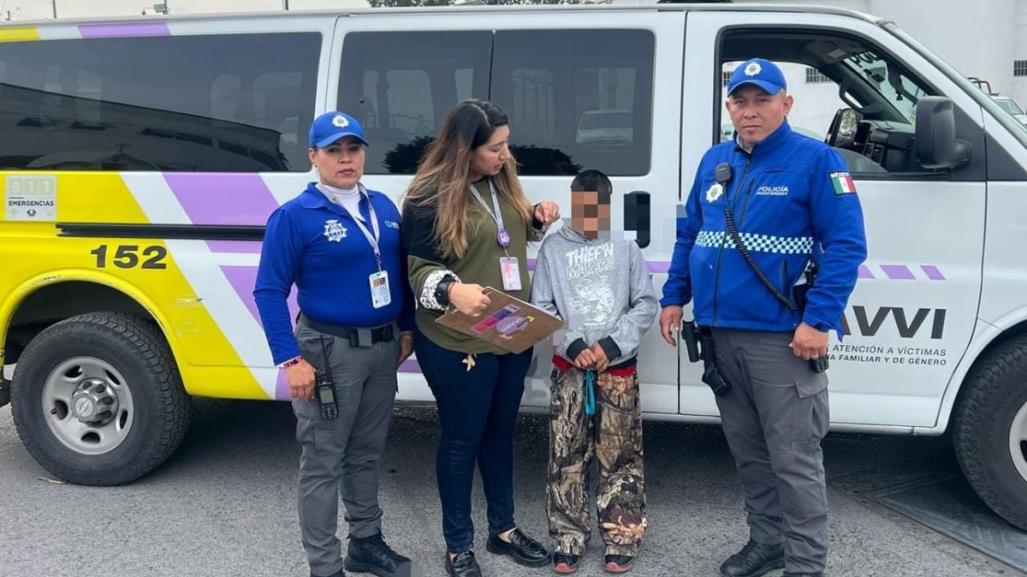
{"x":793,"y":202}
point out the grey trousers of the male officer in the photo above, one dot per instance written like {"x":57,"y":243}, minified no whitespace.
{"x":775,"y":417}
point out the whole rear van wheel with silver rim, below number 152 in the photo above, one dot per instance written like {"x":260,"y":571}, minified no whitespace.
{"x":98,"y":400}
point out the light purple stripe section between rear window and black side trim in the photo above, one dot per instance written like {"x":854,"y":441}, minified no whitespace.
{"x":215,"y":199}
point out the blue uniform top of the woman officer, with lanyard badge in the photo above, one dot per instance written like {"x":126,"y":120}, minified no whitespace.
{"x":315,"y":244}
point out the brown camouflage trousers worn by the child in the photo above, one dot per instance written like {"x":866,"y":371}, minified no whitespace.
{"x":574,"y":443}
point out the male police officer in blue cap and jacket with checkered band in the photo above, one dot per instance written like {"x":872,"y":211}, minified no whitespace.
{"x":764,"y":211}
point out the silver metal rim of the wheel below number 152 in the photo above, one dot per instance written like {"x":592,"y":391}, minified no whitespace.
{"x":88,"y":405}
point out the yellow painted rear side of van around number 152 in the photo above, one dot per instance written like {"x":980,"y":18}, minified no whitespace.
{"x":35,"y":257}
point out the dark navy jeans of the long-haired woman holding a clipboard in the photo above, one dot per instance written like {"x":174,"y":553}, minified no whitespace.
{"x":477,"y":411}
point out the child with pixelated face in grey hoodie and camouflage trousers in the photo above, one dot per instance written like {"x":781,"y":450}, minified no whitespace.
{"x":601,"y":288}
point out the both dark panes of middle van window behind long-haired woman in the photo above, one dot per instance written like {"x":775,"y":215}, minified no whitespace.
{"x":576,"y":98}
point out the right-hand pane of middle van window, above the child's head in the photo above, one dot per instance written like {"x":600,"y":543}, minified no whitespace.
{"x":577,"y":99}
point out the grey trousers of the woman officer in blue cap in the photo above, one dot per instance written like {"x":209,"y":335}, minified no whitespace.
{"x":343,"y":454}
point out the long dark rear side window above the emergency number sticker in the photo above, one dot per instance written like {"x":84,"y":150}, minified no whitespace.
{"x":160,"y":104}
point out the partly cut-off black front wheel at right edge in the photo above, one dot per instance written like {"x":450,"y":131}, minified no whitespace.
{"x":991,"y":436}
